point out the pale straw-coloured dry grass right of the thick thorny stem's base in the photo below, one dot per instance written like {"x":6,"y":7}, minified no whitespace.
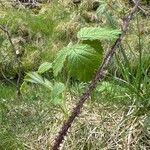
{"x":107,"y":128}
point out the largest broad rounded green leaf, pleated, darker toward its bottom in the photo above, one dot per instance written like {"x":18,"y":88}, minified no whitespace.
{"x":82,"y":61}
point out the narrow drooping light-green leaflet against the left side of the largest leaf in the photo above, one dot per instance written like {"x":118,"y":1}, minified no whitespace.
{"x":60,"y":60}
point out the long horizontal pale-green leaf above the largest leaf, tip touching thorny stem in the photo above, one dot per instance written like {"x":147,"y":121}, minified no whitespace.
{"x":97,"y":33}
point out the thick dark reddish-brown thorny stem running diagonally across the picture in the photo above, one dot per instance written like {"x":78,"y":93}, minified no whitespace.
{"x":99,"y":74}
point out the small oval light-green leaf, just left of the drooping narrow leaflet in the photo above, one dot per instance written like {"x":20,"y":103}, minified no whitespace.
{"x":44,"y":67}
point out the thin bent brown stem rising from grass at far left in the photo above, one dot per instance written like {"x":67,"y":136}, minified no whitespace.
{"x":17,"y":58}
